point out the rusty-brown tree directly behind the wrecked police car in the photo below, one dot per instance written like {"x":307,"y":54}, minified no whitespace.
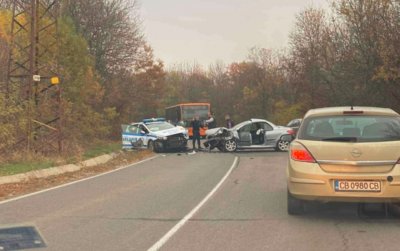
{"x":137,"y":95}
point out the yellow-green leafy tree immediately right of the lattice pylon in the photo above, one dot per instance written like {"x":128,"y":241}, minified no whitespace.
{"x":84,"y":119}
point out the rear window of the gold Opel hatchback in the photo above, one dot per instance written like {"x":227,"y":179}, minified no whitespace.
{"x":351,"y":128}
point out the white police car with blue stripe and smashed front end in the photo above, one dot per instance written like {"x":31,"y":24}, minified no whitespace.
{"x":154,"y":134}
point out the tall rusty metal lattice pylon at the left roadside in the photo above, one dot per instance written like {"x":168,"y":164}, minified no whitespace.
{"x":33,"y":72}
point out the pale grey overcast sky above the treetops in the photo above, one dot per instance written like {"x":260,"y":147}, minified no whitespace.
{"x":205,"y":31}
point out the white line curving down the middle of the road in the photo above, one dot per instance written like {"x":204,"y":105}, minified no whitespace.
{"x":182,"y":222}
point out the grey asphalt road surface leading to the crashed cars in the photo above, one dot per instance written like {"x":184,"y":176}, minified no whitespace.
{"x":133,"y":208}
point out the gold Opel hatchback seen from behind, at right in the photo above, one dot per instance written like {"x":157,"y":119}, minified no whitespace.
{"x":348,"y":154}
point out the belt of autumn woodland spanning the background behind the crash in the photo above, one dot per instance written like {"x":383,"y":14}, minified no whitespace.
{"x":345,"y":55}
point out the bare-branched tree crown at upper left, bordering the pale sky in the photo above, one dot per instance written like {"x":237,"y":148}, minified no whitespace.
{"x":112,"y":29}
